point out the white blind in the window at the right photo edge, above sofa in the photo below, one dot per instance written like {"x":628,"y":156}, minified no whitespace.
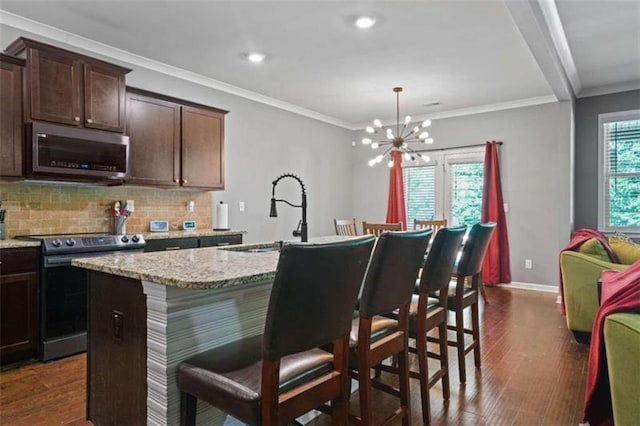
{"x":622,"y":174}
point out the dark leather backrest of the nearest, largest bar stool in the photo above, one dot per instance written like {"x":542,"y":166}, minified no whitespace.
{"x":314,"y":292}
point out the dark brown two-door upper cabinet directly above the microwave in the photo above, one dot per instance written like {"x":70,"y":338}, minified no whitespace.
{"x":68,"y":88}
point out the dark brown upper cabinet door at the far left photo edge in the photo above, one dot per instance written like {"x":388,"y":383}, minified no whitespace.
{"x":10,"y":119}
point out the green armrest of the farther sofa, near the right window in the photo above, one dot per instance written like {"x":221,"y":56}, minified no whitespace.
{"x":580,"y":275}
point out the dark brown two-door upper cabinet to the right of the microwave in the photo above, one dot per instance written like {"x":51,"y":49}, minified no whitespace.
{"x":173,"y":142}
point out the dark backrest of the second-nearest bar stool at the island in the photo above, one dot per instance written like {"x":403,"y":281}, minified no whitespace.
{"x":393,"y":270}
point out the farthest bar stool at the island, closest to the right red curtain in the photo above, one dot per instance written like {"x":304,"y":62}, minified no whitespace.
{"x":464,"y":294}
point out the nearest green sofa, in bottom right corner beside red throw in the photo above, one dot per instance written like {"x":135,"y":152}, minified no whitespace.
{"x":622,"y":344}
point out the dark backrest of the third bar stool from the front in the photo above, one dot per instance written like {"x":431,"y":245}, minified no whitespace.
{"x":436,"y":272}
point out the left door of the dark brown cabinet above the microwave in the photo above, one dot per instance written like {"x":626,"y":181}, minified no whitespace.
{"x":56,"y":81}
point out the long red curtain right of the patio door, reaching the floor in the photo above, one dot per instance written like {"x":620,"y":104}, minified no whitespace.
{"x":495,"y":268}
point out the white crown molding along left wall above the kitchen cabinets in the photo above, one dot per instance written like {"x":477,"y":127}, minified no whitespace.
{"x":74,"y":40}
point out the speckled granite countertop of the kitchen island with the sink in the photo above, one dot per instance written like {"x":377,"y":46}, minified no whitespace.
{"x":200,"y":268}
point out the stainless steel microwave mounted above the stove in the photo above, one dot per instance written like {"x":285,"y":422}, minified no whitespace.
{"x":71,"y":153}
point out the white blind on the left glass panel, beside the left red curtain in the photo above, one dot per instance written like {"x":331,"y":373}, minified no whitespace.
{"x":420,"y":193}
